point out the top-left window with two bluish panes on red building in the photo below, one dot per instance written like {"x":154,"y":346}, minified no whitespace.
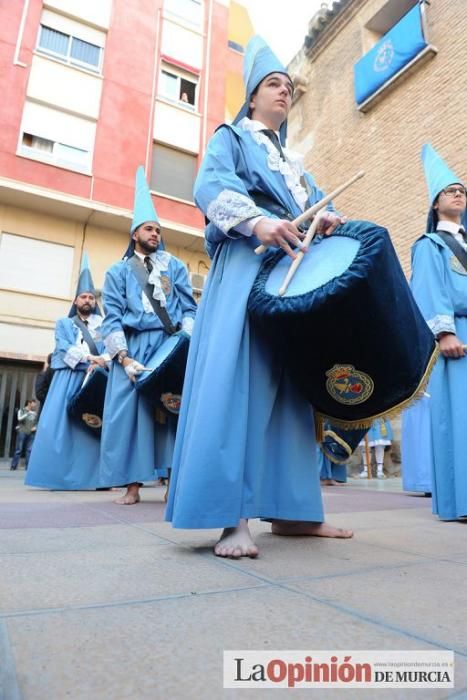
{"x":69,"y":48}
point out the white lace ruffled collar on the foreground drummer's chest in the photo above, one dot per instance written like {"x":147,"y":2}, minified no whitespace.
{"x":291,"y":169}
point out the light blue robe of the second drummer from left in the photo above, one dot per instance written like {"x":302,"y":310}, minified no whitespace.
{"x":133,"y":444}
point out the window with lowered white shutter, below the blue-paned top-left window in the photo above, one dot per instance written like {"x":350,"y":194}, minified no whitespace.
{"x":56,"y":137}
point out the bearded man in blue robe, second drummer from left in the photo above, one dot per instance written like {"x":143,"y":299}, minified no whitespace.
{"x":133,"y":444}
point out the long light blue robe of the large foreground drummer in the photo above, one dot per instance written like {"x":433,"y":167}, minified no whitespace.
{"x":245,"y":444}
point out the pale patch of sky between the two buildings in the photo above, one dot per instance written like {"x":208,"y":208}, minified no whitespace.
{"x":283,"y":24}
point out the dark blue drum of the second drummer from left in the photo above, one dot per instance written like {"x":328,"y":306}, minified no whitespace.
{"x":162,"y":386}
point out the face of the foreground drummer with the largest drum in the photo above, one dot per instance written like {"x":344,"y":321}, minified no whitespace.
{"x":272,"y":100}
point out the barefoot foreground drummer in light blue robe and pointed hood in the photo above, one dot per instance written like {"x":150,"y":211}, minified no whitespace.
{"x":245,"y":445}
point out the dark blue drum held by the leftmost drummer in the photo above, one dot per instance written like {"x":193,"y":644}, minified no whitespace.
{"x":86,"y":406}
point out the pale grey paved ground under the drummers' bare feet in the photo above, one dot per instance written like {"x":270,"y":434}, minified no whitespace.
{"x":105,"y":602}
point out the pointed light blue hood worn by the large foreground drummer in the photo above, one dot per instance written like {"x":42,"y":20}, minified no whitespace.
{"x":258,"y":63}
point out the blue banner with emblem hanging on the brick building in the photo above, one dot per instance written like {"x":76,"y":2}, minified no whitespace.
{"x":392,"y":52}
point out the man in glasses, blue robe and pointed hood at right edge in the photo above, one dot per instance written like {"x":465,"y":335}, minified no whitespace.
{"x":439,"y":284}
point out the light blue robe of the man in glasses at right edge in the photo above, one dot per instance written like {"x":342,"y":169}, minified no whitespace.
{"x":439,"y":284}
